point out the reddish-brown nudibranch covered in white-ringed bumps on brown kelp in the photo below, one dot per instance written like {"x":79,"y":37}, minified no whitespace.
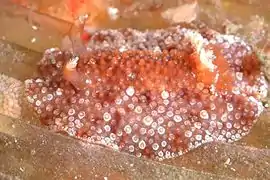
{"x":153,"y":93}
